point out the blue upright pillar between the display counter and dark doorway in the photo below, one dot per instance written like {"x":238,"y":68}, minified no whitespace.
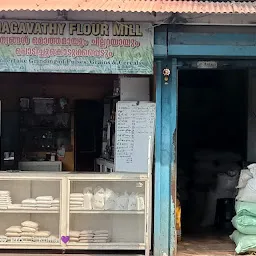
{"x":165,"y":160}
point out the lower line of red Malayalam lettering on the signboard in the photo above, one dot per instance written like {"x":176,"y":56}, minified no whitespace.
{"x":45,"y":53}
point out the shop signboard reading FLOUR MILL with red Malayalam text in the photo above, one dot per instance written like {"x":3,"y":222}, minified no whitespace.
{"x":76,"y":47}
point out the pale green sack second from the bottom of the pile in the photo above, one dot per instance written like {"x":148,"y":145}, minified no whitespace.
{"x":245,"y":224}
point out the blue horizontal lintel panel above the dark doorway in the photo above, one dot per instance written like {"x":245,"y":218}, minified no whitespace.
{"x":211,"y":44}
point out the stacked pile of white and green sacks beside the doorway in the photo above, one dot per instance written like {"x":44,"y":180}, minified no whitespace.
{"x":245,"y":220}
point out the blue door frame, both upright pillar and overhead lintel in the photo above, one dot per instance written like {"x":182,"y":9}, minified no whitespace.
{"x":168,"y":47}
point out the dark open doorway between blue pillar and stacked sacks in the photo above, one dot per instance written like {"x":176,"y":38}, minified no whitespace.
{"x":211,"y":148}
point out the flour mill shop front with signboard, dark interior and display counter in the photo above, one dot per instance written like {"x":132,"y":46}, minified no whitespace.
{"x":61,"y":122}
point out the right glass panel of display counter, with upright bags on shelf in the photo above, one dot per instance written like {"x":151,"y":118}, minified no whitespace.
{"x":107,"y":212}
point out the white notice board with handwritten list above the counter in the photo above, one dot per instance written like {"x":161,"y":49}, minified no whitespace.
{"x":134,"y":136}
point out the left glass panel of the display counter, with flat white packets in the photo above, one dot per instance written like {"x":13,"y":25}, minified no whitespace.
{"x":30,"y":211}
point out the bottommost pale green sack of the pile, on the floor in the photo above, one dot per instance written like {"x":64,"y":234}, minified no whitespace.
{"x":244,"y":243}
